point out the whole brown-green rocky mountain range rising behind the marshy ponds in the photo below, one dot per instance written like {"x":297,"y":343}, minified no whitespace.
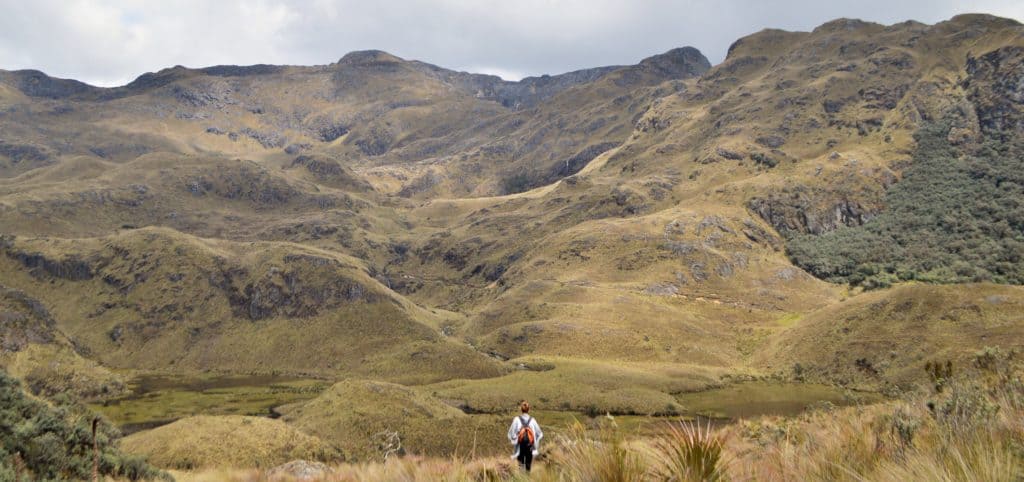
{"x":647,"y":230}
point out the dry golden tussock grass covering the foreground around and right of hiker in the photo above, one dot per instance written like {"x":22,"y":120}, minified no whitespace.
{"x":972,"y":430}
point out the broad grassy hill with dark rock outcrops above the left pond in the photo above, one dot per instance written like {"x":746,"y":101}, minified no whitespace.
{"x":157,"y":299}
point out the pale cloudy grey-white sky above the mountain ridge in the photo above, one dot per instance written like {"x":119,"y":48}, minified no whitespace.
{"x":109,"y":43}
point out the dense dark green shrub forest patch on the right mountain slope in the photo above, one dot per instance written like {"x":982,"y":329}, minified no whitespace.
{"x":955,"y":217}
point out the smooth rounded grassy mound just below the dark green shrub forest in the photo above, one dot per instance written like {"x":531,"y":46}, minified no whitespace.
{"x":886,"y":338}
